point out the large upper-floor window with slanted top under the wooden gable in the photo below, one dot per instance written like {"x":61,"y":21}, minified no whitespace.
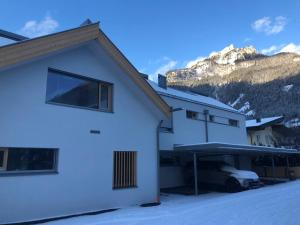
{"x":68,"y":89}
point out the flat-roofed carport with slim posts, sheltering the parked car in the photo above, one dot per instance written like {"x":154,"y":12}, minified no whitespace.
{"x":219,"y":149}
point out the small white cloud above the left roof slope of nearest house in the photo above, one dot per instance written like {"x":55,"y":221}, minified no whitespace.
{"x":35,"y":28}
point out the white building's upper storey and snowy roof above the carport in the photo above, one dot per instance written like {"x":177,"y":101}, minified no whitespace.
{"x":198,"y":119}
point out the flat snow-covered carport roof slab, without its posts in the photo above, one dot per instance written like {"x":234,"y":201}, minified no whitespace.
{"x":216,"y":148}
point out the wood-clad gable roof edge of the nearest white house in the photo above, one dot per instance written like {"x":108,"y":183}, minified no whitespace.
{"x":33,"y":48}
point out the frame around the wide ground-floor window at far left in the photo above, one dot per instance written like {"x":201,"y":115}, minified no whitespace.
{"x":54,"y":170}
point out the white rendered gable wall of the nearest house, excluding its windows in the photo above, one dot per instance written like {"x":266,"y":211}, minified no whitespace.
{"x":85,"y":165}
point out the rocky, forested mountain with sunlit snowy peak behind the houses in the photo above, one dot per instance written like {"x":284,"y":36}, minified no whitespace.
{"x":255,"y":84}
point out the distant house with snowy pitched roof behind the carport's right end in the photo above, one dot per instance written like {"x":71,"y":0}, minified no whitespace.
{"x":260,"y":131}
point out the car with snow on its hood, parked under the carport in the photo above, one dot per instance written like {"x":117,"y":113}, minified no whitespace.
{"x":224,"y":175}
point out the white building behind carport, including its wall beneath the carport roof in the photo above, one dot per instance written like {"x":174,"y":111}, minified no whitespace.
{"x":196,"y":119}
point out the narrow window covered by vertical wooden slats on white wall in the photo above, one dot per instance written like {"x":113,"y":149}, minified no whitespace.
{"x":124,"y":169}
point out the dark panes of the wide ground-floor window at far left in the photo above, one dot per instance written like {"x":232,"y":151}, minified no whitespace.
{"x":28,"y":159}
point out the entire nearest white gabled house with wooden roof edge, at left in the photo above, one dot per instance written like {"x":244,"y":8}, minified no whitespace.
{"x":78,"y":127}
